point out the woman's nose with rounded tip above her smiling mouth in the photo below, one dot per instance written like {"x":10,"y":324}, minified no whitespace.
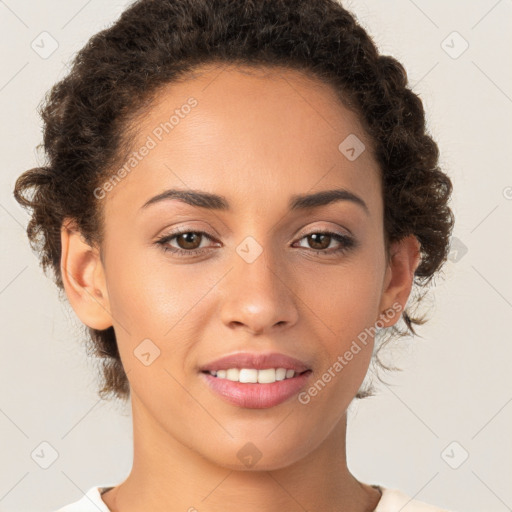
{"x":259,"y":297}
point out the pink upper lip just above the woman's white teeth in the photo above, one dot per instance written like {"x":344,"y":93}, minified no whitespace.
{"x":256,"y":361}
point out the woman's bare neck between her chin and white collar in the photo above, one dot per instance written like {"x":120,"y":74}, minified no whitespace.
{"x":168,"y":476}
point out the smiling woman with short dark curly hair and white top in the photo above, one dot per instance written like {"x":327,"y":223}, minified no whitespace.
{"x":239,"y":196}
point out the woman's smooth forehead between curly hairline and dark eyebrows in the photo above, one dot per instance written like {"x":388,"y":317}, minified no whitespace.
{"x":262,"y":133}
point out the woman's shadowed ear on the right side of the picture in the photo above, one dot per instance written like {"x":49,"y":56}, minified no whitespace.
{"x":405,"y":257}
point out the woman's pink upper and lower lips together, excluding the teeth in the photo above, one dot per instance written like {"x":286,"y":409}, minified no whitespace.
{"x":255,"y":395}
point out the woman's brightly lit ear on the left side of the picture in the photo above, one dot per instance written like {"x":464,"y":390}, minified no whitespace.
{"x":83,"y":277}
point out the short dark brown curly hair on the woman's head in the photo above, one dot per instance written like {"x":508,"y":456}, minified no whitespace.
{"x":89,"y":118}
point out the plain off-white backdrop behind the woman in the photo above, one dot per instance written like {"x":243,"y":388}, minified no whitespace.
{"x":456,"y":383}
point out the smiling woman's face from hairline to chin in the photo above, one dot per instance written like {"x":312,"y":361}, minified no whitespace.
{"x":248,"y":273}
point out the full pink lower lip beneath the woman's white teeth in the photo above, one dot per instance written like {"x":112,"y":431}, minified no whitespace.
{"x":256,"y":396}
